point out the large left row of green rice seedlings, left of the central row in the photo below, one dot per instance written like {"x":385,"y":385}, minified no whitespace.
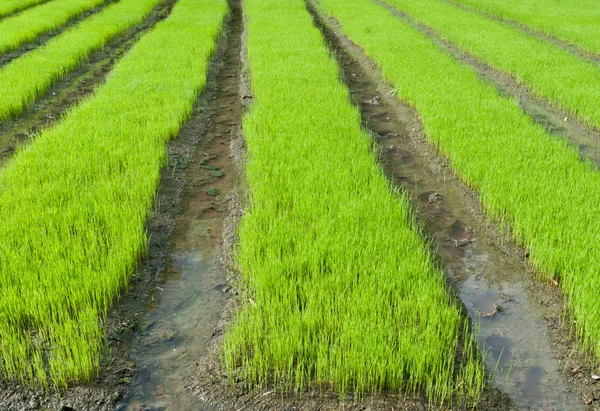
{"x":74,"y":204}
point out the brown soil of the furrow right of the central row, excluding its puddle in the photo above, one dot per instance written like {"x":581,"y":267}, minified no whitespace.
{"x":401,"y":154}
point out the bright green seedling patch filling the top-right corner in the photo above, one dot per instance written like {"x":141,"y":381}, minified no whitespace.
{"x":576,"y":22}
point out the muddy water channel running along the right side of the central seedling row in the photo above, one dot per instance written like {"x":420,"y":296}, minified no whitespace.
{"x":492,"y":285}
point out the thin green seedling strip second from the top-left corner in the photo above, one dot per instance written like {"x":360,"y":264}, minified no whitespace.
{"x":26,"y":26}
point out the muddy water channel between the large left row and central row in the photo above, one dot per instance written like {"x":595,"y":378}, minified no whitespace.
{"x":186,"y":301}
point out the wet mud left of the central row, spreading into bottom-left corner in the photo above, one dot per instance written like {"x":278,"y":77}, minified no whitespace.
{"x":141,"y":329}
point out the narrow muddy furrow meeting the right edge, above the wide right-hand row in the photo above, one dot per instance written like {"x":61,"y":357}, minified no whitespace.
{"x":584,"y":138}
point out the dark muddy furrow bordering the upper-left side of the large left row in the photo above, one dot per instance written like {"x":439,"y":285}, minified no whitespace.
{"x":74,"y":87}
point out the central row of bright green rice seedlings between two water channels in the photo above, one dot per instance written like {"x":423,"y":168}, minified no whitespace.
{"x":339,"y":288}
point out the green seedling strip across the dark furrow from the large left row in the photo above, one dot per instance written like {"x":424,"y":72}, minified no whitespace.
{"x":23,"y":80}
